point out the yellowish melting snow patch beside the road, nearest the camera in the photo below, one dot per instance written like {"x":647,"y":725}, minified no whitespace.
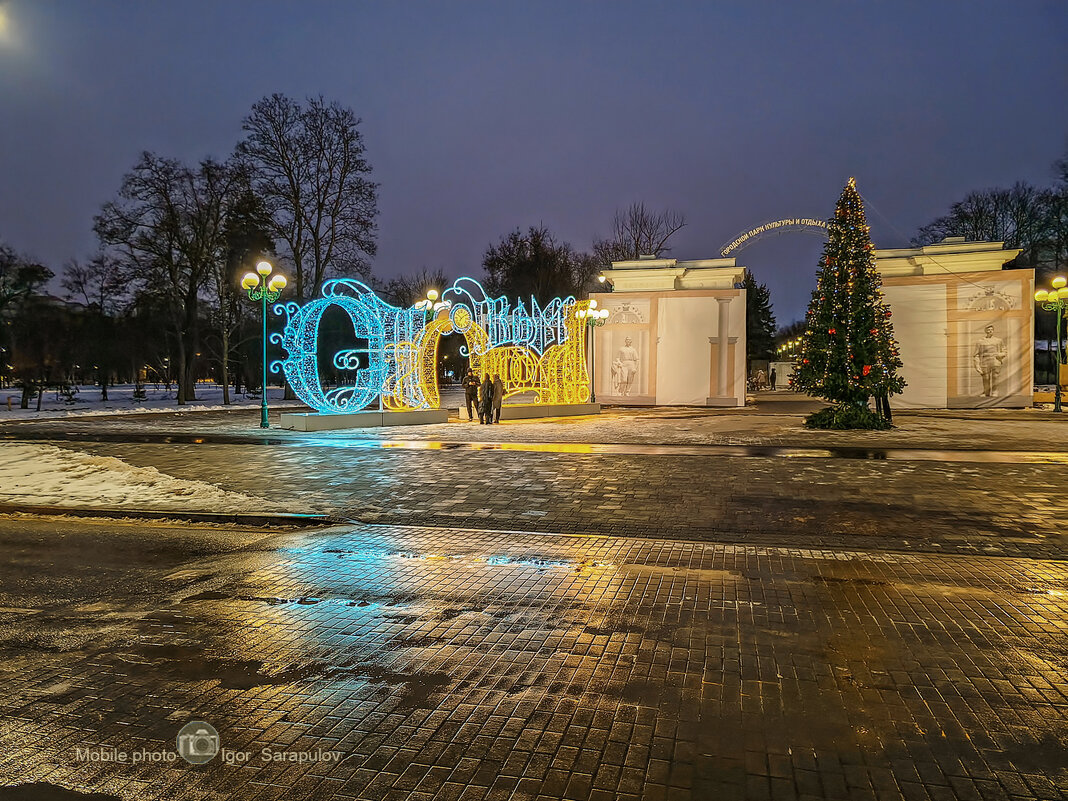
{"x":49,"y":476}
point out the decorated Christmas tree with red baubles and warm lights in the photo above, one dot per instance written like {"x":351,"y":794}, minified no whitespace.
{"x":849,"y":352}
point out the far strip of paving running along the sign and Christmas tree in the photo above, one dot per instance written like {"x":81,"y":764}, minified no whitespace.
{"x":776,"y":421}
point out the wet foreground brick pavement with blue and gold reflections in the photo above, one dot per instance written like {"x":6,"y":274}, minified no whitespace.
{"x":459,"y":664}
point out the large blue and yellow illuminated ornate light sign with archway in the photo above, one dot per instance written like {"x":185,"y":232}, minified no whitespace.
{"x":541,"y":351}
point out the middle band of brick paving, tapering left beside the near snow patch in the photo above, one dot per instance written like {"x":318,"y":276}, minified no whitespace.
{"x":993,"y":509}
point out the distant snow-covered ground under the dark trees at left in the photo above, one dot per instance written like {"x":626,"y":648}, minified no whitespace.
{"x":88,"y":402}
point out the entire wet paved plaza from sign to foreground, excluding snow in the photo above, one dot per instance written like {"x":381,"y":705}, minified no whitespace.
{"x":744,"y":610}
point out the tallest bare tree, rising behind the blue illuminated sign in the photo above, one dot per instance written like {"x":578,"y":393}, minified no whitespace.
{"x":307,"y":164}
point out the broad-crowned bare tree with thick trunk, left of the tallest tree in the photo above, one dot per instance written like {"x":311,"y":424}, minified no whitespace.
{"x":167,"y":229}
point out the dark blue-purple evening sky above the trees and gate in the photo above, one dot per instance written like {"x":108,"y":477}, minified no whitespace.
{"x":483,"y":117}
